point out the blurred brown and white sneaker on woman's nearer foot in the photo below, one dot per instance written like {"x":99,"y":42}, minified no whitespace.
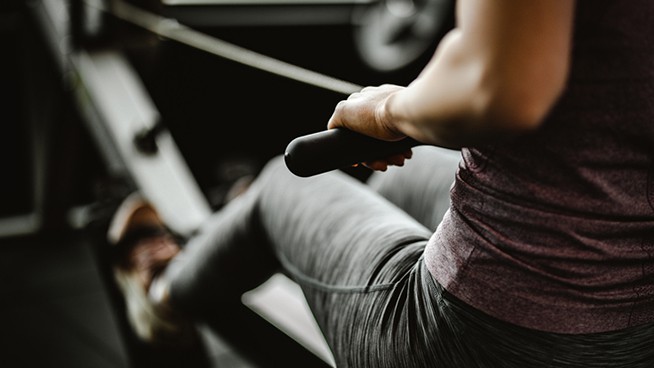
{"x":144,"y":247}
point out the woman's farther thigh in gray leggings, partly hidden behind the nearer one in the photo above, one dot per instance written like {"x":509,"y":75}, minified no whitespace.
{"x":422,"y":186}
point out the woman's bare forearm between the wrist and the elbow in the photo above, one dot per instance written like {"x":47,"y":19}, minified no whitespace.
{"x":445,"y":104}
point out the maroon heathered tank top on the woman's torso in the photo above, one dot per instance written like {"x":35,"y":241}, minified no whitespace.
{"x":555,"y":230}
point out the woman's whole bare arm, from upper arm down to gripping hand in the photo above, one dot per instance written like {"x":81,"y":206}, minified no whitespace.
{"x":495,"y":75}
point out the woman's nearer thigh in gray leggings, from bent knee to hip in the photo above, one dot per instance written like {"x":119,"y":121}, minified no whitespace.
{"x":358,"y":260}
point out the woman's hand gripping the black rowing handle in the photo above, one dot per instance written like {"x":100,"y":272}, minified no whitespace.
{"x":365,"y":112}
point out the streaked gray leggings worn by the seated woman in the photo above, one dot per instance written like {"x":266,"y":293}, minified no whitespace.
{"x":357,"y":255}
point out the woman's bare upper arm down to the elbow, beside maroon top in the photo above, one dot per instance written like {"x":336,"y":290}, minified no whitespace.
{"x":523,"y":49}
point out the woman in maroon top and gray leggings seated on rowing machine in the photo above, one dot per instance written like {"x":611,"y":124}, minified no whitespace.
{"x":544,"y":257}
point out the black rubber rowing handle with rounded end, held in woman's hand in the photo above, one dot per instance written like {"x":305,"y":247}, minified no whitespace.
{"x":338,"y":148}
